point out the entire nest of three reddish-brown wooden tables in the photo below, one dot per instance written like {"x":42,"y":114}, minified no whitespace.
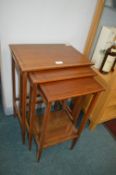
{"x":73,"y":78}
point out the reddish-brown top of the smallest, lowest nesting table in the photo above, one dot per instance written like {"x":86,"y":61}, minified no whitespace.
{"x":65,"y":89}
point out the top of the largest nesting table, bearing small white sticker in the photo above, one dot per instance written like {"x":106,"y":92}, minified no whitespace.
{"x":34,"y":57}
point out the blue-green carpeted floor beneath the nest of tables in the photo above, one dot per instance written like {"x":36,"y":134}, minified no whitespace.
{"x":95,"y":153}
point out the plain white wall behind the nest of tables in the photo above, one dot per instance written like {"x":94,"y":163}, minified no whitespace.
{"x":40,"y":21}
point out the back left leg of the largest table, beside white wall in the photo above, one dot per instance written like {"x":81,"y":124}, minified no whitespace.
{"x":13,"y":86}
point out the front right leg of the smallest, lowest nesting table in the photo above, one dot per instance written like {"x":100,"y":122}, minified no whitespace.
{"x":85,"y":118}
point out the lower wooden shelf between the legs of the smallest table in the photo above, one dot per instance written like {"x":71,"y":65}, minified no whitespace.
{"x":60,"y":128}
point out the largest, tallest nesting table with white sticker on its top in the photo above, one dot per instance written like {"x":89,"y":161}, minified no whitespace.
{"x":39,"y":57}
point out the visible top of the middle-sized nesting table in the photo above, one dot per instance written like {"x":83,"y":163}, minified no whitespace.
{"x":62,"y":74}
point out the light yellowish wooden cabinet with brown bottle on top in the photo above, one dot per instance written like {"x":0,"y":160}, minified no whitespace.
{"x":105,"y":108}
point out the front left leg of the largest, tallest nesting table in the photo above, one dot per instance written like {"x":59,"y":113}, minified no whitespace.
{"x":23,"y":94}
